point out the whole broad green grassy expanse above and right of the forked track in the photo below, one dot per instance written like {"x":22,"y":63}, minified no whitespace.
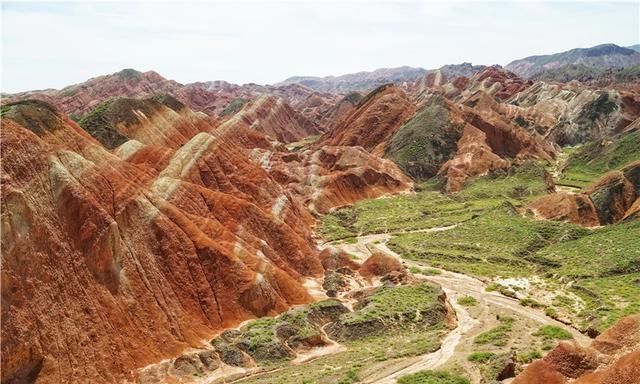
{"x":494,"y":238}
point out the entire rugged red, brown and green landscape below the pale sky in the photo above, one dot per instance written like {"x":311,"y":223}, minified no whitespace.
{"x":467,"y":224}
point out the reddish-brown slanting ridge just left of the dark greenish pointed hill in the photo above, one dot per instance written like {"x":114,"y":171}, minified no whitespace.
{"x":377,"y":117}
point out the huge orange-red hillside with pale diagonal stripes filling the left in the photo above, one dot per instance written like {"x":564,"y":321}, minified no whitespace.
{"x":114,"y":260}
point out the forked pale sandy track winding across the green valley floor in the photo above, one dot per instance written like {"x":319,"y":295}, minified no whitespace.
{"x":454,"y":285}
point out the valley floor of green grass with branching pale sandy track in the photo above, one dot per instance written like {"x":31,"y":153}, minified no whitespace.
{"x":517,"y":285}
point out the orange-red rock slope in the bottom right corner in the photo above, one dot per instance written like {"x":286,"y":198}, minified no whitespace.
{"x":612,"y":358}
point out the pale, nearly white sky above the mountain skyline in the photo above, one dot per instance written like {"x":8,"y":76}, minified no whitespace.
{"x":50,"y":45}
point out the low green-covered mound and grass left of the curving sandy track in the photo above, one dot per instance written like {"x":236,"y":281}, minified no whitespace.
{"x":365,"y":354}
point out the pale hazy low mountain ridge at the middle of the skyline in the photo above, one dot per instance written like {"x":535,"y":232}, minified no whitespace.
{"x":360,"y":81}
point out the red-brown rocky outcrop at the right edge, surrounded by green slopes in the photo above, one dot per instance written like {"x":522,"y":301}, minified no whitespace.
{"x":610,"y":199}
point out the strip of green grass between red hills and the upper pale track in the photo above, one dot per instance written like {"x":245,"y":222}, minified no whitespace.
{"x":428,"y":208}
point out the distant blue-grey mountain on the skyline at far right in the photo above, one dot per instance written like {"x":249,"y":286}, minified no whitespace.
{"x":603,"y":56}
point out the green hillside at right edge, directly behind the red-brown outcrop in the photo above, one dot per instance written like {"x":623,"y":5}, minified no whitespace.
{"x":590,"y":161}
